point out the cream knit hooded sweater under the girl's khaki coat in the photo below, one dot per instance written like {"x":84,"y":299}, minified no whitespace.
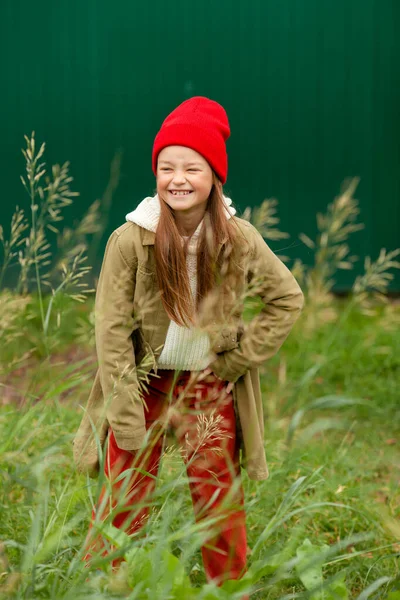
{"x":185,"y":348}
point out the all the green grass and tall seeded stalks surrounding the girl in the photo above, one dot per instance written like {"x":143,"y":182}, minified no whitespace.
{"x":324,"y":526}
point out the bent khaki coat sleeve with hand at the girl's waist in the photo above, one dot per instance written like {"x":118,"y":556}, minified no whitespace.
{"x":282,"y":302}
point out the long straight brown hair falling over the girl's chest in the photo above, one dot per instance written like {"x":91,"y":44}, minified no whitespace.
{"x":170,"y":256}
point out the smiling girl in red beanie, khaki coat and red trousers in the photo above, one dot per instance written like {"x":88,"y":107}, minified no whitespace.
{"x":169,"y":308}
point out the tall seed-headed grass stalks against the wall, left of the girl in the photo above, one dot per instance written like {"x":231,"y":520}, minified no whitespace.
{"x":29,"y":245}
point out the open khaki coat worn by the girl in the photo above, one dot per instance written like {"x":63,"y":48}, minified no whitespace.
{"x":131,"y":326}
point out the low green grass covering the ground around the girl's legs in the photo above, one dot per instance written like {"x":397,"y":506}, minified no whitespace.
{"x":335,"y":478}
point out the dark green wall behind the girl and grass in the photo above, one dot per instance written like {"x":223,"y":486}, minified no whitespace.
{"x":311,"y":88}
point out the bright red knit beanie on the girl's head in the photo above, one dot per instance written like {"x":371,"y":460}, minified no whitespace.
{"x":201,"y":124}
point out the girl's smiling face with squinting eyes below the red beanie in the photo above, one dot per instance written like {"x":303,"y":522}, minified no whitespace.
{"x":184,"y":179}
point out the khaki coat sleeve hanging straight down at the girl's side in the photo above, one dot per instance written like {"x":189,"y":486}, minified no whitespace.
{"x":114,"y":325}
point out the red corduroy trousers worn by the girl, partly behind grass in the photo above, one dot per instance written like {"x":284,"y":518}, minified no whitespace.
{"x":201,"y":412}
